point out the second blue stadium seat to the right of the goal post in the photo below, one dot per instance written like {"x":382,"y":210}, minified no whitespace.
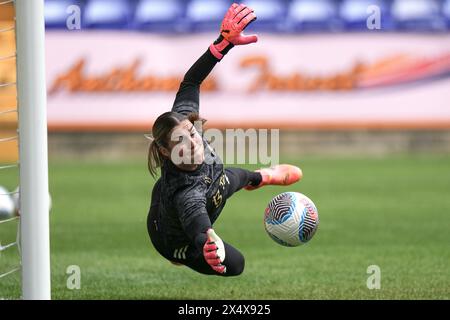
{"x":108,"y":14}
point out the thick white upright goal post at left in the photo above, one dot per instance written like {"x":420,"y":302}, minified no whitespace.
{"x":33,"y":159}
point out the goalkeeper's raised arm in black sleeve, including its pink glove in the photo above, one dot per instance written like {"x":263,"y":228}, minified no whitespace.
{"x":237,"y":18}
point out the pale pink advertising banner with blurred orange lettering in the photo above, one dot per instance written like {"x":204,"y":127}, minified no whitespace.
{"x":106,"y":80}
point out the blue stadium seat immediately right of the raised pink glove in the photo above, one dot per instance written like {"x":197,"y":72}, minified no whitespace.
{"x":271,"y":15}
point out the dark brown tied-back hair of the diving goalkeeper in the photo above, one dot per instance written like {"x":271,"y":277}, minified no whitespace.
{"x":160,"y":136}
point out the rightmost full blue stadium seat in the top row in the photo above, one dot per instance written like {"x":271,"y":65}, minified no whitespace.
{"x":417,"y":15}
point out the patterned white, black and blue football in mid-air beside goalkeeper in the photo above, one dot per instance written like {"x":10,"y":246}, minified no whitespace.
{"x":291,"y":219}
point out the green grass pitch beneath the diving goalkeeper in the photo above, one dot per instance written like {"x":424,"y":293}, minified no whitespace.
{"x":393,"y":212}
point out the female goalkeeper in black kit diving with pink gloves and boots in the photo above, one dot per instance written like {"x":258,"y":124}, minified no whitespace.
{"x":194,"y":185}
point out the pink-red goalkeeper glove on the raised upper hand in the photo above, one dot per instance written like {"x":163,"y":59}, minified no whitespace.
{"x":237,"y":18}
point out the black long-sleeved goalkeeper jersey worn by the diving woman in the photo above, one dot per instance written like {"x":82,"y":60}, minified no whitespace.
{"x":190,"y":201}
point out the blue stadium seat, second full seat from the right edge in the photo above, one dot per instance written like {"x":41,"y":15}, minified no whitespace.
{"x":354,"y":14}
